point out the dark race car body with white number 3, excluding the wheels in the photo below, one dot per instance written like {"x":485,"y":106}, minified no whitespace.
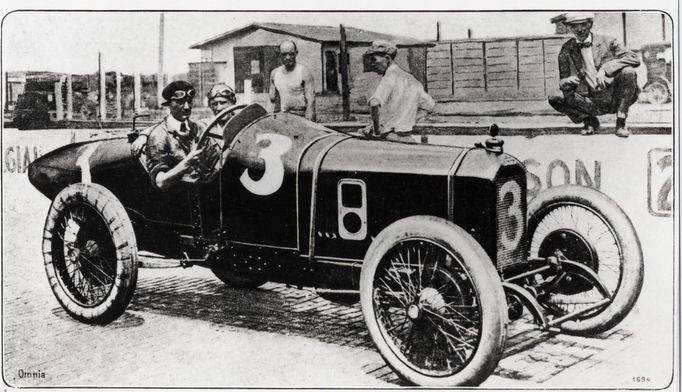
{"x":306,"y":194}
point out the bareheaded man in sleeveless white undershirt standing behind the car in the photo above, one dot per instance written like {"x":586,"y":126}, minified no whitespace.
{"x":293,"y":83}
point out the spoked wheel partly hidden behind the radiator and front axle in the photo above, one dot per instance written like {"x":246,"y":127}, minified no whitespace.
{"x":587,"y":227}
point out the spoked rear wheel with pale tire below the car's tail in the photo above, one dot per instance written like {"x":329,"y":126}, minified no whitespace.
{"x":90,"y":253}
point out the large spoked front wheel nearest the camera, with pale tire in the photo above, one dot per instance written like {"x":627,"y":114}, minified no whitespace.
{"x":433,"y":303}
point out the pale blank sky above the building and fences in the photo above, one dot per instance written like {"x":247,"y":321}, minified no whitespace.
{"x":69,"y":42}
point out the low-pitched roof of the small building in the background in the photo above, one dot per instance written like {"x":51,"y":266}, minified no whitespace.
{"x":318,"y":34}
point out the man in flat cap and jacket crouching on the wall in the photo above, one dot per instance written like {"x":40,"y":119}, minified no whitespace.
{"x":597,"y":77}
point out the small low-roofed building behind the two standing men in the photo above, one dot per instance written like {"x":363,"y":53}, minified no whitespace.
{"x":251,"y":53}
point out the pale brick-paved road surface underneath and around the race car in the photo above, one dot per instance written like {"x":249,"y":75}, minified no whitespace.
{"x":185,"y":328}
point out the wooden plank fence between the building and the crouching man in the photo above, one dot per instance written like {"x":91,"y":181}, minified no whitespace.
{"x":494,"y":69}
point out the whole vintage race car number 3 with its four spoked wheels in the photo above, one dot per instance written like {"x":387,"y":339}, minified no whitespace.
{"x":436,"y":242}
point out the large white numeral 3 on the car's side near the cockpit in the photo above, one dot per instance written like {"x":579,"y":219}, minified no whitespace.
{"x":271,"y":154}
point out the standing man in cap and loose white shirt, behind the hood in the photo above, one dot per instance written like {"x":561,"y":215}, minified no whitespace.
{"x":399,"y":100}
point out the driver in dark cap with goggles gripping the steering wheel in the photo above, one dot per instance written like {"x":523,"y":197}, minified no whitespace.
{"x":172,"y":150}
